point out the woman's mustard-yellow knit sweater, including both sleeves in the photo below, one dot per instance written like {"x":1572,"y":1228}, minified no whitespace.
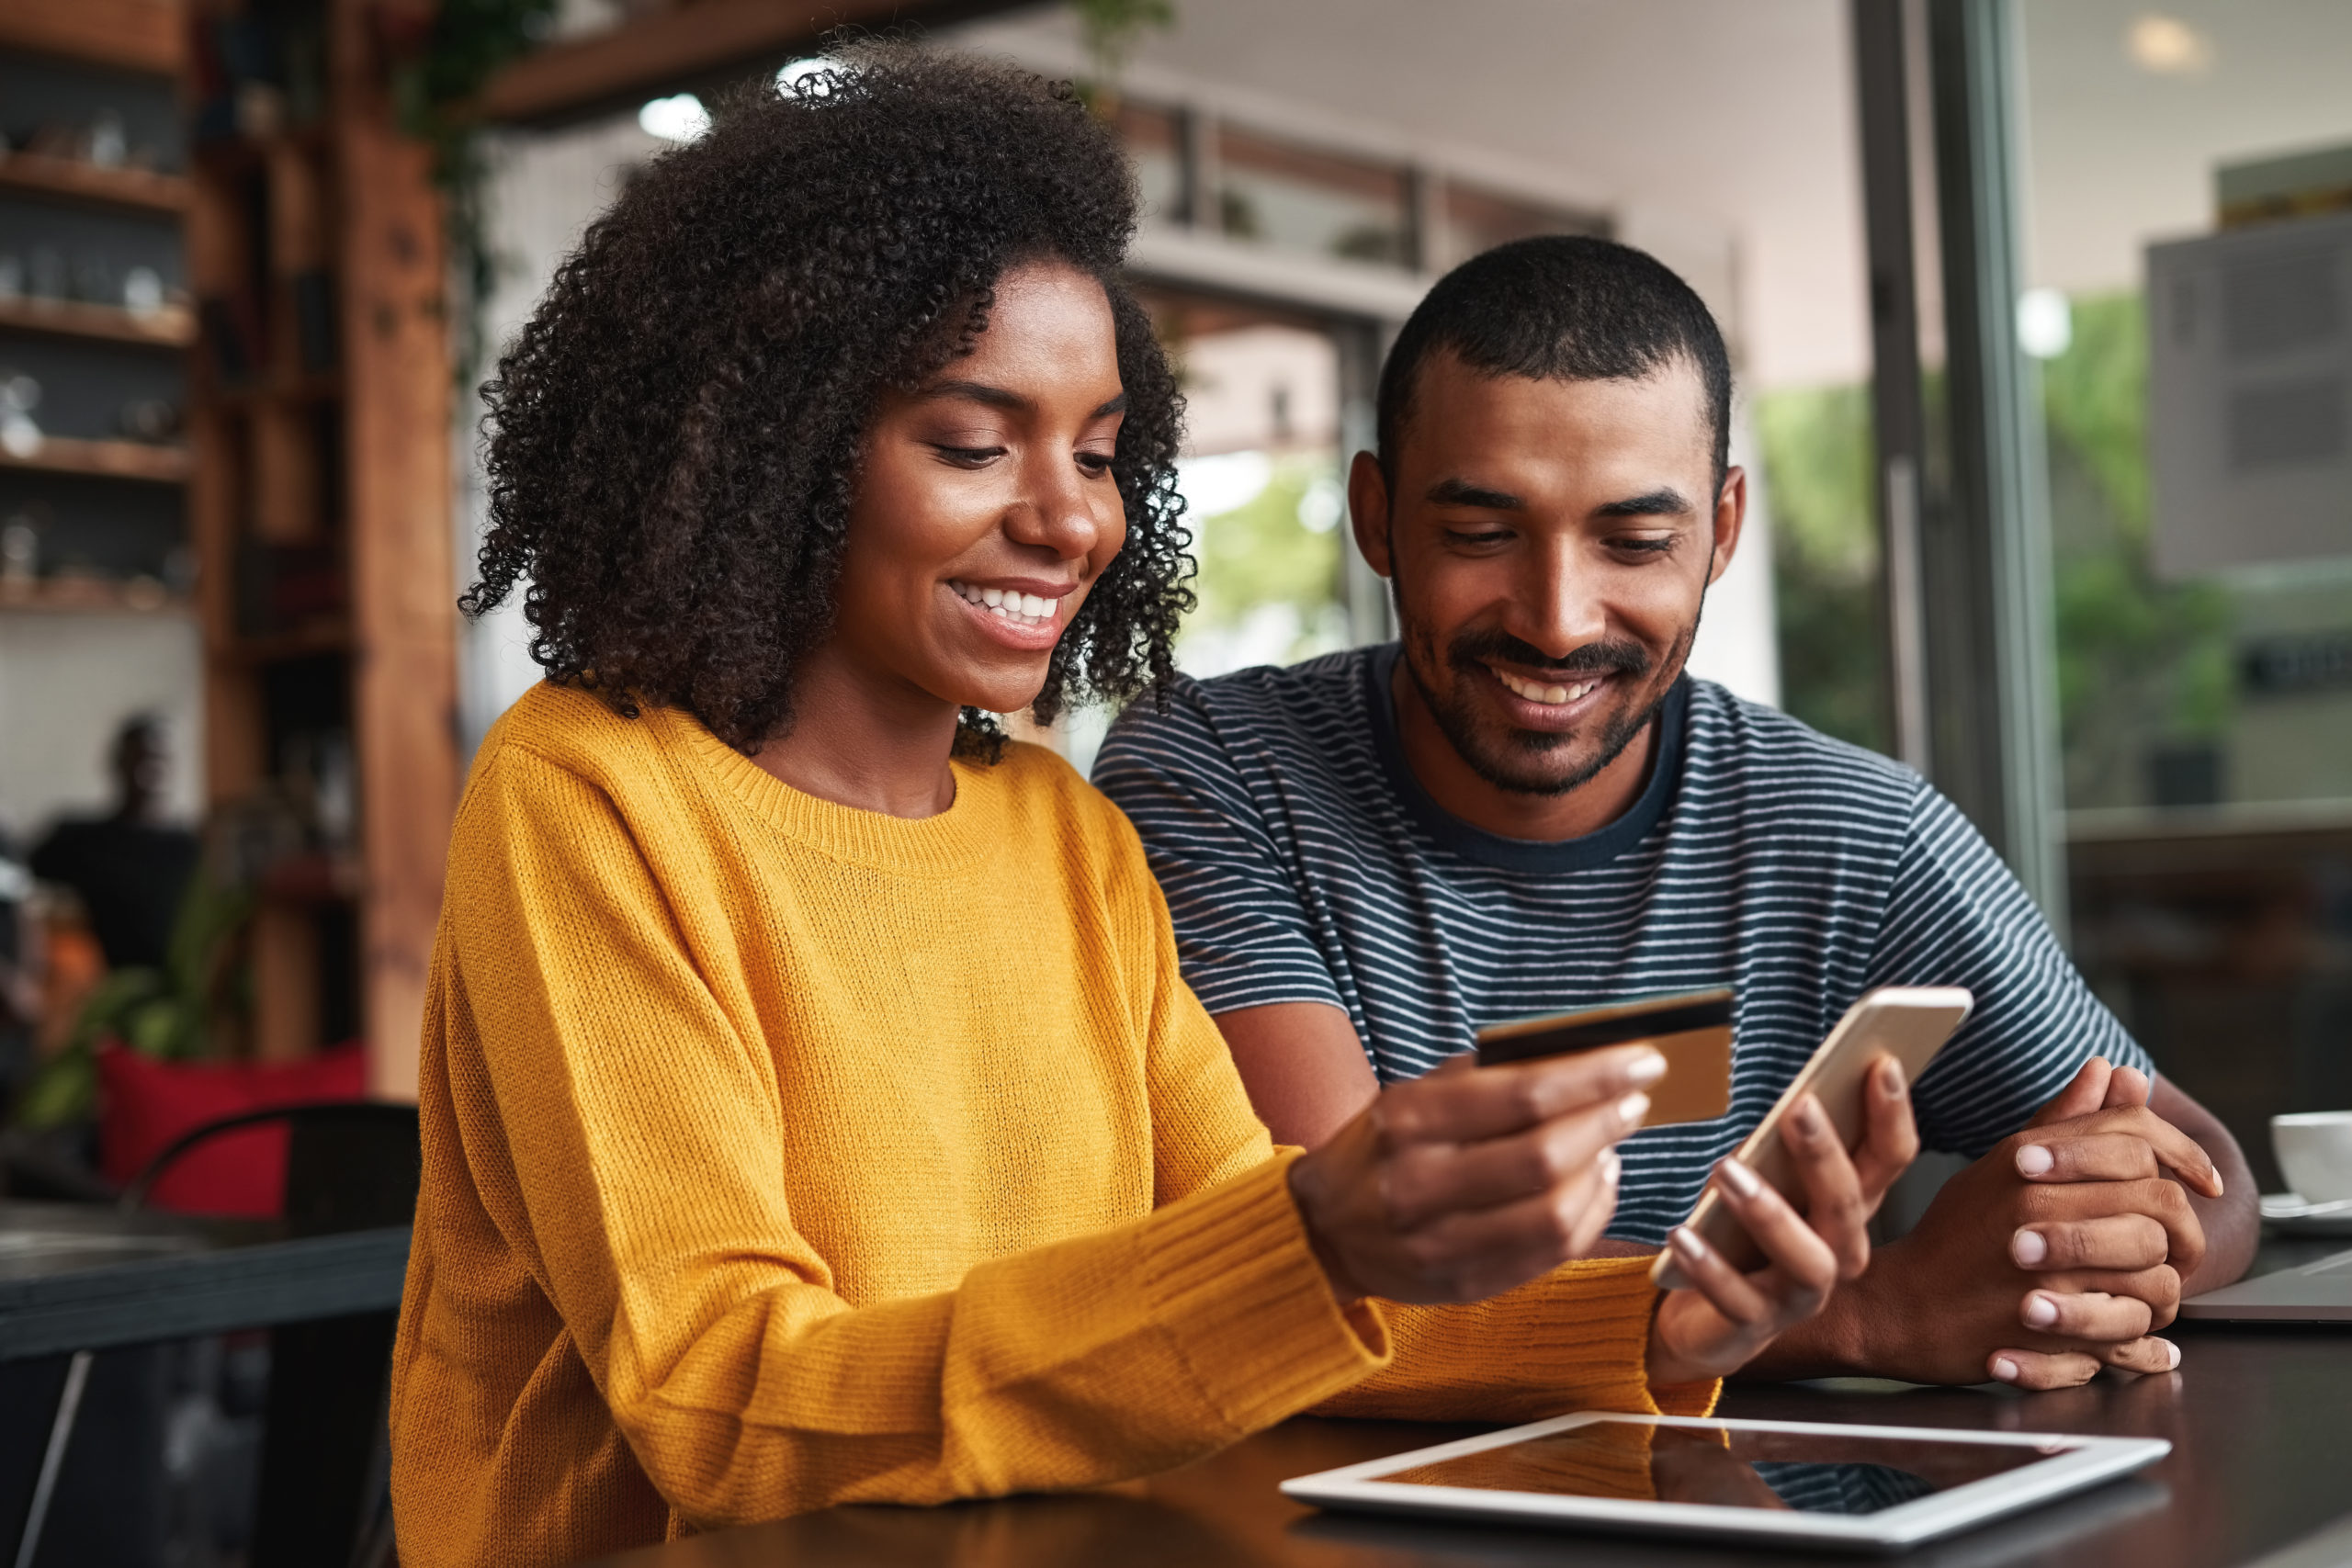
{"x":784,"y":1155}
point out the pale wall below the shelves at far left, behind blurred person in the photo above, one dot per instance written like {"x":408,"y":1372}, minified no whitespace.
{"x":67,"y":683}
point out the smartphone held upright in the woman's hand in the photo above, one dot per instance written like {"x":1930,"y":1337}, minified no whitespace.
{"x":1902,"y":1021}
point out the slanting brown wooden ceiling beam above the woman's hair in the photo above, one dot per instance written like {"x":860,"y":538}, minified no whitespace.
{"x":693,"y":48}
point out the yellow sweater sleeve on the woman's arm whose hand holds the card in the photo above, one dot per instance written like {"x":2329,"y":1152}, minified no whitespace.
{"x":643,"y":1134}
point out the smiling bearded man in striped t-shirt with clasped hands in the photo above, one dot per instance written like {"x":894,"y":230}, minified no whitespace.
{"x":1528,"y":808}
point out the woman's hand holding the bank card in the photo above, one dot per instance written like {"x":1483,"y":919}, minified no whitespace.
{"x":1476,"y":1179}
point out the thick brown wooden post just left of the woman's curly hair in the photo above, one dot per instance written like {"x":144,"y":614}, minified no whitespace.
{"x":403,"y":612}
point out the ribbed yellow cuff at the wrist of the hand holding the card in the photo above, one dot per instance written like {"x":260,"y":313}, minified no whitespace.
{"x":1236,"y":1285}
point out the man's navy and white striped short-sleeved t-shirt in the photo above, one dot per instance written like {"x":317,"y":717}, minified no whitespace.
{"x":1304,"y":864}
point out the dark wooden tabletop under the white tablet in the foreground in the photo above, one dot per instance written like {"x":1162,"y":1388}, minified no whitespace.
{"x":2257,"y":1421}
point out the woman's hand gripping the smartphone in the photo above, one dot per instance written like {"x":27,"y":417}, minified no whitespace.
{"x":1725,"y":1318}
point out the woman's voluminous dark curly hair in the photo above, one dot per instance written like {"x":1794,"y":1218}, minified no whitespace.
{"x":674,"y":438}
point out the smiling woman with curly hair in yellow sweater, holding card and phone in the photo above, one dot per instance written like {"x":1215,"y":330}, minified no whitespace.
{"x":813,"y":1104}
